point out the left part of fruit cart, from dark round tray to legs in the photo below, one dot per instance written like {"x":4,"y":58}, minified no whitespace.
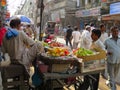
{"x":57,"y":65}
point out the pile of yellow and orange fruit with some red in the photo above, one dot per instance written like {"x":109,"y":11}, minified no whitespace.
{"x":58,"y":51}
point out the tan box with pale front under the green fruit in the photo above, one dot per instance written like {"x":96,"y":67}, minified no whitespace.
{"x":93,"y":62}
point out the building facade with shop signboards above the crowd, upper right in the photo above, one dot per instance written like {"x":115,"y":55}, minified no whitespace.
{"x":96,"y":11}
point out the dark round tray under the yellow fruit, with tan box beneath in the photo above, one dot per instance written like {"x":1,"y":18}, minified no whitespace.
{"x":58,"y":64}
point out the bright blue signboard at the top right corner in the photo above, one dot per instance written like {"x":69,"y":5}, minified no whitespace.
{"x":115,"y":8}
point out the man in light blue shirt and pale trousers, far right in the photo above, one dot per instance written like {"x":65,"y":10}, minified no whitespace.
{"x":112,"y":45}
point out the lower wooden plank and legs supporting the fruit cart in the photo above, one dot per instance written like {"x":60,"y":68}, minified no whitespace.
{"x":59,"y":77}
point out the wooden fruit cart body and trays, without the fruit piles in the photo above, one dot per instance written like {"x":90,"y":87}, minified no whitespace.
{"x":57,"y":72}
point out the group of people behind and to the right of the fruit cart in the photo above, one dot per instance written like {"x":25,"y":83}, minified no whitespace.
{"x":97,"y":38}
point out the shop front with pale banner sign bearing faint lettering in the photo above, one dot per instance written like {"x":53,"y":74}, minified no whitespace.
{"x":88,"y":16}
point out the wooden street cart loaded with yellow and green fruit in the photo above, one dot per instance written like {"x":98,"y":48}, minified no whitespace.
{"x":61,"y":63}
